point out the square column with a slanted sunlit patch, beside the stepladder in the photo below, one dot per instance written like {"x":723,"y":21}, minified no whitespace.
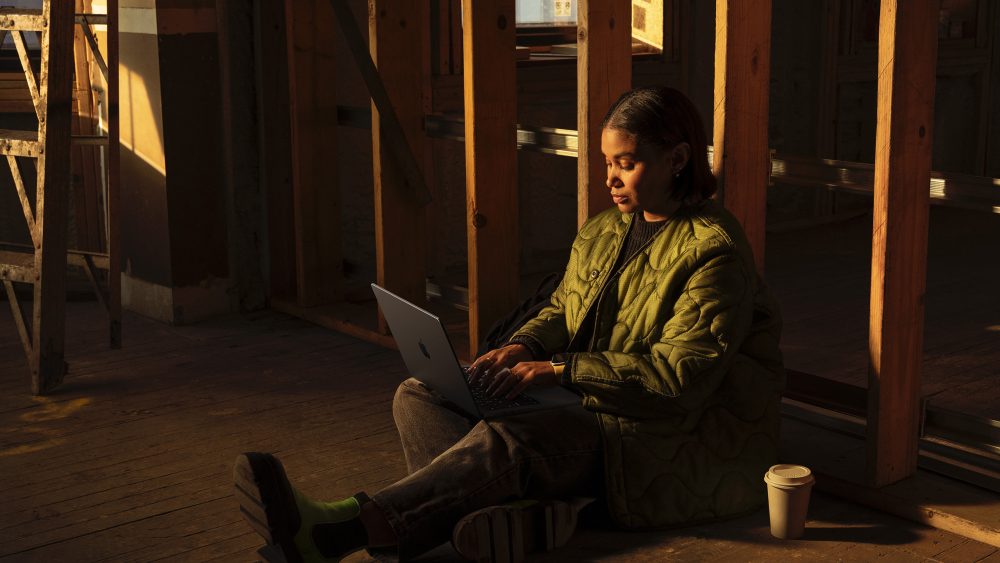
{"x":173,"y":223}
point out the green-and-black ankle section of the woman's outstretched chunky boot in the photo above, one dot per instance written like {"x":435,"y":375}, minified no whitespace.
{"x":329,"y":529}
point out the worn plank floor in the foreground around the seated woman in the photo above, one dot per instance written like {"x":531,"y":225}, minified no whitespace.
{"x":131,"y":459}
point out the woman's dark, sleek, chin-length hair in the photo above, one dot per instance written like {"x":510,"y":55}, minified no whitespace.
{"x":660,"y":118}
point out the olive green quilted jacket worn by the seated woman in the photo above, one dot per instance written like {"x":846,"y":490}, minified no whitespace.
{"x":683,"y":368}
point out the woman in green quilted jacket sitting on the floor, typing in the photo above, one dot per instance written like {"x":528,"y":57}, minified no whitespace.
{"x":660,"y":324}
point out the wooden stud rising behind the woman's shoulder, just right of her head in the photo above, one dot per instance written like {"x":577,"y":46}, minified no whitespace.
{"x":742,"y":82}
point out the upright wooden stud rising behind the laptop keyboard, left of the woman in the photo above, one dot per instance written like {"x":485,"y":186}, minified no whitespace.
{"x":490,"y":162}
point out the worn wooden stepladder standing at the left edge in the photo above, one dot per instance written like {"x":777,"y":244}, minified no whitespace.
{"x":71,"y":156}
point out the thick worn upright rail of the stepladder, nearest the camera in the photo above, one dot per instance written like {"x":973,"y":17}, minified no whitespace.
{"x":55,"y":89}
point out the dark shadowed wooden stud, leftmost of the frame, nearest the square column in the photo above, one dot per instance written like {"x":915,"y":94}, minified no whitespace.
{"x":316,"y":197}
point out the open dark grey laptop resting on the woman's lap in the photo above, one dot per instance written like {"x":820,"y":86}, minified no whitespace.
{"x":430,"y":357}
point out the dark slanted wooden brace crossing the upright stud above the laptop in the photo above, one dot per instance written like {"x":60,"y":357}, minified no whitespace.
{"x":395,"y":138}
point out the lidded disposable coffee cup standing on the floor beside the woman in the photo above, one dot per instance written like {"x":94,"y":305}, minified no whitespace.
{"x":788,"y":488}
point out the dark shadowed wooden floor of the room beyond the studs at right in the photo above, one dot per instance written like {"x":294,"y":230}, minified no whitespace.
{"x":821,"y":277}
